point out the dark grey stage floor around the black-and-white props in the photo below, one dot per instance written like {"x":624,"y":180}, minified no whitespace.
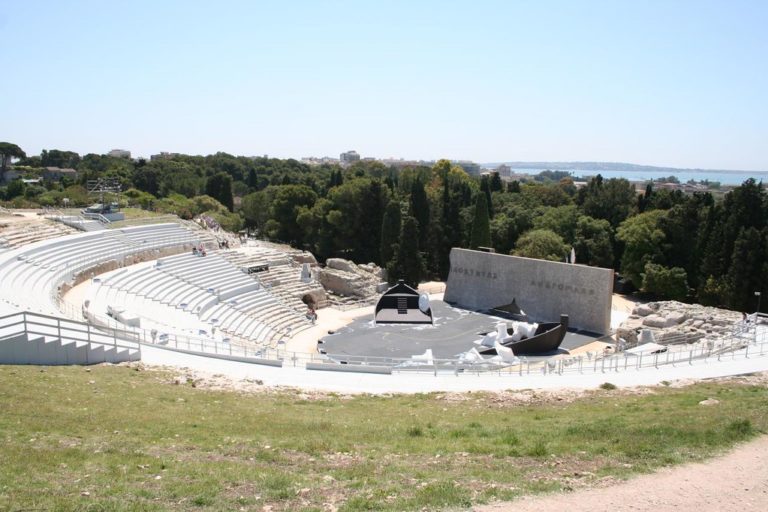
{"x":453,"y":332}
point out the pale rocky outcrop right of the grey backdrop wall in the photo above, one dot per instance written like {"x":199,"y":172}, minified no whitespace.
{"x":676,"y":322}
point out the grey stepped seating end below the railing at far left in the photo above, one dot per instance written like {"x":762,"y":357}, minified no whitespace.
{"x":46,"y":350}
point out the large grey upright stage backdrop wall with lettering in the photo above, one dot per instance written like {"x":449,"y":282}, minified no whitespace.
{"x":543,"y":289}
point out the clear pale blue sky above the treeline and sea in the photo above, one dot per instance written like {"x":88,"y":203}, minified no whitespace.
{"x":677,"y":83}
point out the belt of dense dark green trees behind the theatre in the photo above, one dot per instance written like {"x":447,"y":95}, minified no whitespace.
{"x":710,"y":246}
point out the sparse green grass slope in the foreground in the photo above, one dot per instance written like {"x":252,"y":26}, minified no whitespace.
{"x":126,"y":438}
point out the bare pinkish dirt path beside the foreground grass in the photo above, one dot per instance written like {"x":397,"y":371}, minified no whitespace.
{"x":737,"y":481}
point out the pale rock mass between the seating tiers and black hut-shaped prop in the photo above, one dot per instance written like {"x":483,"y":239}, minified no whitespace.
{"x":344,"y":277}
